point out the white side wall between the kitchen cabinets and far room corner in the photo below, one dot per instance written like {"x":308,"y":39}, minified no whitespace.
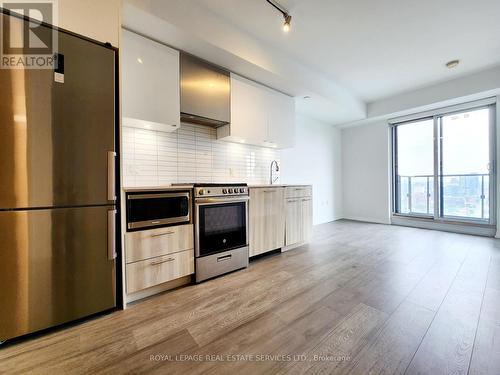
{"x":316,"y":160}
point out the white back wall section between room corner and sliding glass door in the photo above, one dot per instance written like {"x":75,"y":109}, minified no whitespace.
{"x":366,"y":173}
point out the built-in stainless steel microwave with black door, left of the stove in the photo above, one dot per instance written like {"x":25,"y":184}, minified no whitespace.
{"x":157,"y":209}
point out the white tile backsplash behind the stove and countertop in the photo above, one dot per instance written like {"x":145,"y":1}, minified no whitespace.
{"x":190,"y":154}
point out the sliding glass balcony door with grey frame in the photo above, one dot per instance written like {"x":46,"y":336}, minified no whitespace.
{"x":443,"y":166}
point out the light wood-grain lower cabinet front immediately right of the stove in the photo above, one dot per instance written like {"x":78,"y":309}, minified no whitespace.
{"x":267,"y":220}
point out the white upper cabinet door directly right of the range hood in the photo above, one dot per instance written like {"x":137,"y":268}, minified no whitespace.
{"x":248,"y":111}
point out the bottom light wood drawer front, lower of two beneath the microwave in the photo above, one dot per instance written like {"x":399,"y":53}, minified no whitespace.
{"x":151,"y":272}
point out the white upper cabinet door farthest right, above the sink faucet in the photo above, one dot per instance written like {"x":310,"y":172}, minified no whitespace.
{"x":281,"y":110}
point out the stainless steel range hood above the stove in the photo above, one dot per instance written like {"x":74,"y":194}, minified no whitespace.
{"x":205,"y":92}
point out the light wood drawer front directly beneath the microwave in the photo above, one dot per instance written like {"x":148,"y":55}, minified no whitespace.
{"x":156,"y":242}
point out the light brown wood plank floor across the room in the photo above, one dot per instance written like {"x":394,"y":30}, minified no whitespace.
{"x":360,"y":299}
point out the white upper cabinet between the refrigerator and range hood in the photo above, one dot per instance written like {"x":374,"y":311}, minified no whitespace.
{"x":150,"y":84}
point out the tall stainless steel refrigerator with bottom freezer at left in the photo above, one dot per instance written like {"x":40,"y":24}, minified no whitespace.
{"x":57,"y":189}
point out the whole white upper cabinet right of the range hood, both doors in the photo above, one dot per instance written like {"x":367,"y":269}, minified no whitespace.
{"x":259,"y":115}
